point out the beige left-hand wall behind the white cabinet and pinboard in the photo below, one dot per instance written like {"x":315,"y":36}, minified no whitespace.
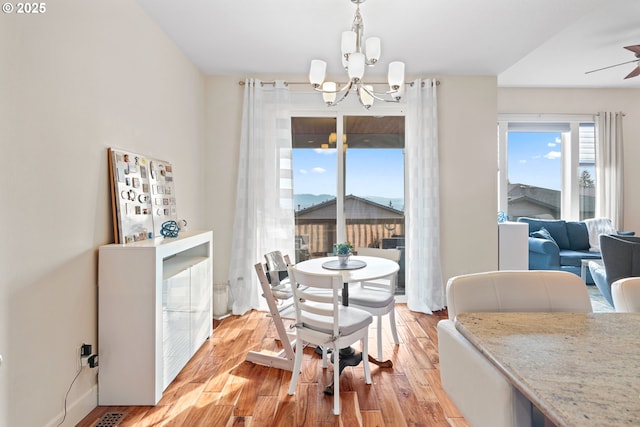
{"x":75,"y":80}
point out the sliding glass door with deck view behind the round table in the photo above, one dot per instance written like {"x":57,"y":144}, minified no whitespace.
{"x":348,"y":183}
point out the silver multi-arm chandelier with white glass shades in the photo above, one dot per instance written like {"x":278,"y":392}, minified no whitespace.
{"x":354,"y":61}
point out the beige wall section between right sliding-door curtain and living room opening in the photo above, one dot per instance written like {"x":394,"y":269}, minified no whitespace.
{"x":468,"y":175}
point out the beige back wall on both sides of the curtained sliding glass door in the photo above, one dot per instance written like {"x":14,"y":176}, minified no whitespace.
{"x":468,"y":169}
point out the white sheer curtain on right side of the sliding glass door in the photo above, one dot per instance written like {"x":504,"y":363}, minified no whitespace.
{"x":424,"y":286}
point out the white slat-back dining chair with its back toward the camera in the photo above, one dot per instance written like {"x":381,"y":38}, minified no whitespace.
{"x":321,"y":319}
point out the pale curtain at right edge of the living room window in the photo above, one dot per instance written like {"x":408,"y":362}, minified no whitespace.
{"x":609,"y":168}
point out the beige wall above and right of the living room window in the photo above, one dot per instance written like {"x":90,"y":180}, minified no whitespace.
{"x":590,"y":101}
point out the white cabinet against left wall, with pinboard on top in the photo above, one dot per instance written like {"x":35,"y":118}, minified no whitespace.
{"x":154,"y":313}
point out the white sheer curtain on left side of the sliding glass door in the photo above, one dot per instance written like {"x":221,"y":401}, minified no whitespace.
{"x":264,"y":219}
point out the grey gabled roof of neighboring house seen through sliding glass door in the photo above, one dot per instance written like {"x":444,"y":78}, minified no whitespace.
{"x":356,"y":208}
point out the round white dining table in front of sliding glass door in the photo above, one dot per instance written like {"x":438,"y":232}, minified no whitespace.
{"x":374,"y":268}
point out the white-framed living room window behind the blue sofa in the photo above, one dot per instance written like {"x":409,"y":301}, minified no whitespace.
{"x":546,"y":167}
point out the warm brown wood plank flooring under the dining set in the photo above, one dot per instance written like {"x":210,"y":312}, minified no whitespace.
{"x":219,"y":388}
